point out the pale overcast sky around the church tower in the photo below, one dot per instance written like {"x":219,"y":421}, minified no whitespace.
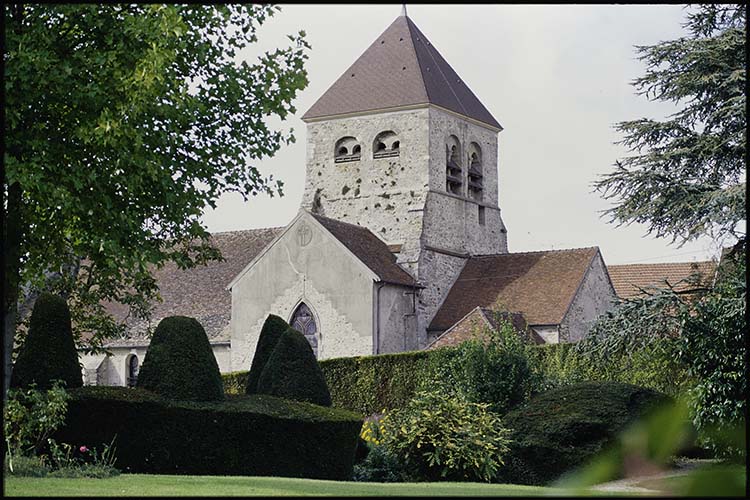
{"x":557,"y":78}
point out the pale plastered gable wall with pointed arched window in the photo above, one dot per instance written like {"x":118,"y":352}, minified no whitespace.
{"x":336,"y":287}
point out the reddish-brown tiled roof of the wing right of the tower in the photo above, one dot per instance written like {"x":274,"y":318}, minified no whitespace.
{"x":539,"y":285}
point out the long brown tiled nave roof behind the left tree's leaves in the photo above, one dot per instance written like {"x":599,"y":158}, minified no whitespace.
{"x":199,"y":292}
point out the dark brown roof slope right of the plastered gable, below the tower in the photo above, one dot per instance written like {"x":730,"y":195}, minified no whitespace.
{"x":371,"y":250}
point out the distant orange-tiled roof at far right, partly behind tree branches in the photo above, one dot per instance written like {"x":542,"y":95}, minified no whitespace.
{"x":628,"y":279}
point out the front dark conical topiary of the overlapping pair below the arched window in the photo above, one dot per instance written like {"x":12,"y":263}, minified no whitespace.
{"x":292,"y":372}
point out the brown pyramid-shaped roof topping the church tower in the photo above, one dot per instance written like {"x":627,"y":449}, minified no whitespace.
{"x":400,"y":68}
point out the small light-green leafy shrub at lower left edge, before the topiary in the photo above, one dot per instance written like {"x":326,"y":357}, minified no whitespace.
{"x":30,"y":416}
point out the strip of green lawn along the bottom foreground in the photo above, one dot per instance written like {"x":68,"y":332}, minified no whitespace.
{"x":162,"y":485}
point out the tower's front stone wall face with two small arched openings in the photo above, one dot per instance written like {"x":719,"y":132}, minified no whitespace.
{"x":386,"y":195}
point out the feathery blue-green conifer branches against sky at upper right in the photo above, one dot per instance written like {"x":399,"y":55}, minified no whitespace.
{"x":686,"y":176}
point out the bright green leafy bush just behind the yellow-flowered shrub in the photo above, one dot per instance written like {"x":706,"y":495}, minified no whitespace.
{"x":497,"y":372}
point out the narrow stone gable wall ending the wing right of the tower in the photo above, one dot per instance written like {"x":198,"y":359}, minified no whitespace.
{"x":595,"y":297}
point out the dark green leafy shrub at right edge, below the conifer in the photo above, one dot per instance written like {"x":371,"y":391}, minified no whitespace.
{"x":714,"y":349}
